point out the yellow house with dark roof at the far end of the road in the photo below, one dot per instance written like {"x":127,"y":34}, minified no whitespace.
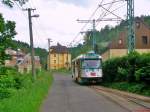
{"x":59,"y":57}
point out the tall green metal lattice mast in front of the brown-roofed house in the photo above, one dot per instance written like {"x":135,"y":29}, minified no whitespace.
{"x":131,"y":26}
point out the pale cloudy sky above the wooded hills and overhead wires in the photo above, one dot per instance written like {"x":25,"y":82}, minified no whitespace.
{"x":58,"y":19}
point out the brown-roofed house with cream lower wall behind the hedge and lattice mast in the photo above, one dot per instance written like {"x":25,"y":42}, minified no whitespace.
{"x":118,"y":47}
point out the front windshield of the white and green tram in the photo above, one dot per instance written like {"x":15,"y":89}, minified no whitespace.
{"x":87,"y":64}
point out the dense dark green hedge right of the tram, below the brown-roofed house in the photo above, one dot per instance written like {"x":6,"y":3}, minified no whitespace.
{"x":131,"y":68}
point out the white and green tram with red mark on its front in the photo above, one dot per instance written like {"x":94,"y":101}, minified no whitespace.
{"x":87,"y":68}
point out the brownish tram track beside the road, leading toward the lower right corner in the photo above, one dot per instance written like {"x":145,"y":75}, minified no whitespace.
{"x":130,"y":102}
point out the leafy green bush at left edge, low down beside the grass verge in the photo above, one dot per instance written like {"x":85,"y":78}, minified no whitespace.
{"x":9,"y":79}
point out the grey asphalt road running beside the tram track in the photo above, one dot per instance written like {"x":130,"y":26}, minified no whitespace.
{"x":67,"y":96}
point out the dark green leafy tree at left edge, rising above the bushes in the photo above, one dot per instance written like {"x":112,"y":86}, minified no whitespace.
{"x":7,"y":32}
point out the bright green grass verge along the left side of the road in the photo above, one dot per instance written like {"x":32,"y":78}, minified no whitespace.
{"x":30,"y":97}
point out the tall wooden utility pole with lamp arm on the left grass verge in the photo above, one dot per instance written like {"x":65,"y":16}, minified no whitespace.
{"x":31,"y":40}
